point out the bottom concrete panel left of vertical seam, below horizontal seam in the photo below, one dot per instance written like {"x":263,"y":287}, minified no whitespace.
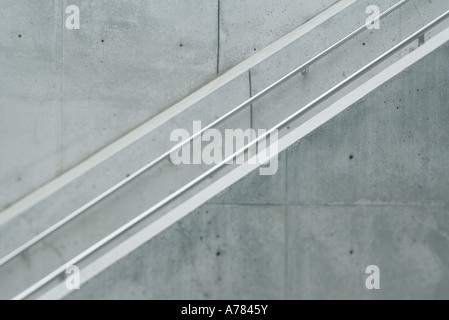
{"x":218,"y":252}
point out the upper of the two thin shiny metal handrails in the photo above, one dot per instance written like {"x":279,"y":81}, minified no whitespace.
{"x":136,"y":174}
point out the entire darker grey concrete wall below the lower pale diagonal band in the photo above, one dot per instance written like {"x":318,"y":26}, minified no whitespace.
{"x":369,"y":187}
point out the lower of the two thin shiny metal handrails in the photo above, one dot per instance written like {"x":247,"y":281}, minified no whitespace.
{"x":294,"y":116}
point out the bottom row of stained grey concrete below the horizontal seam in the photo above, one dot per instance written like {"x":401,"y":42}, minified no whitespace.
{"x":322,"y":252}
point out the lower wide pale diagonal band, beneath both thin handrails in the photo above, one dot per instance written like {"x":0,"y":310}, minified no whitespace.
{"x":143,"y":236}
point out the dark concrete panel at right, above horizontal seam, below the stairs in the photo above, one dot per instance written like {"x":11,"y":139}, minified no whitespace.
{"x":391,"y":147}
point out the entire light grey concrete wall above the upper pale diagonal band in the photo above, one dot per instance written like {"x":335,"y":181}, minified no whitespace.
{"x":68,"y":93}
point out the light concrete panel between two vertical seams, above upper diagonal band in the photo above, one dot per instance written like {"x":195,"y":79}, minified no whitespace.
{"x":130,"y":61}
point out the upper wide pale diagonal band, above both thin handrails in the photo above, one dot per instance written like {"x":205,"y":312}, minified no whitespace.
{"x":120,"y":144}
